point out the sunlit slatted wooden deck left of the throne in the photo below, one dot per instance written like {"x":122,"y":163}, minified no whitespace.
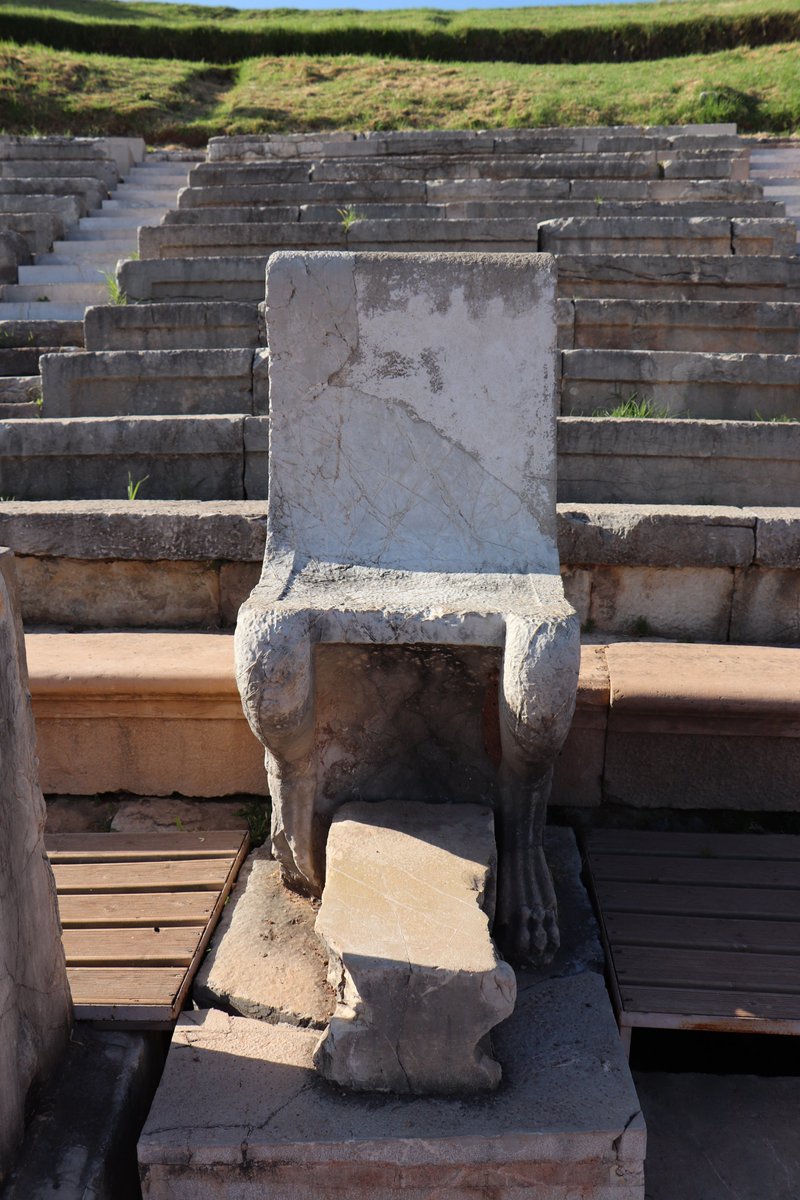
{"x":139,"y":911}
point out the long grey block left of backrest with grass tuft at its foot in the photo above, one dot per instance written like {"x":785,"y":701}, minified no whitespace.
{"x":88,"y":458}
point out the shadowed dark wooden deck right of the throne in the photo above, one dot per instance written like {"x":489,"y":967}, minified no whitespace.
{"x":702,"y":932}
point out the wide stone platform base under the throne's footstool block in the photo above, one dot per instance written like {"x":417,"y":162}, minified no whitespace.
{"x":240,"y":1114}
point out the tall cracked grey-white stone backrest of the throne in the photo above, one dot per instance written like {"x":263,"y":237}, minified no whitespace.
{"x":413,"y":411}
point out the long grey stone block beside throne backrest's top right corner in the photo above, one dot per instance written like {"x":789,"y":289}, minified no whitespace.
{"x":679,"y":278}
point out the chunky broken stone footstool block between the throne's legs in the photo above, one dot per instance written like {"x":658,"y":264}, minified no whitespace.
{"x":408,"y":899}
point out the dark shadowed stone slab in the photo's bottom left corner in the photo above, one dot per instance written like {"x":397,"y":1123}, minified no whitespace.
{"x":82,"y":1145}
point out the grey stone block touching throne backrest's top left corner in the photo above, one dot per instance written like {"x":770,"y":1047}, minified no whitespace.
{"x":195,"y":279}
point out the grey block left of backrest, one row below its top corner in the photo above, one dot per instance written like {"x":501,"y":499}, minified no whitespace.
{"x":173,"y":327}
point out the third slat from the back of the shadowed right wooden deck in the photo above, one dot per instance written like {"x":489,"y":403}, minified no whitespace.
{"x":755,"y":904}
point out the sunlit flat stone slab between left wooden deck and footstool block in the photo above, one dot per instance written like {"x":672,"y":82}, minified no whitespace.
{"x":266,"y":961}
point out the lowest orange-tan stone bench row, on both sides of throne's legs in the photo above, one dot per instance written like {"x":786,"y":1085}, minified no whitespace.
{"x":160,"y":713}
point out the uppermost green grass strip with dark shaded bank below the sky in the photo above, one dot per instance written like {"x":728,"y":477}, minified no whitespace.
{"x":522,"y":35}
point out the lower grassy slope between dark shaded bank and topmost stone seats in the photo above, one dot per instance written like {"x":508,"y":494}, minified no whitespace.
{"x":57,"y":92}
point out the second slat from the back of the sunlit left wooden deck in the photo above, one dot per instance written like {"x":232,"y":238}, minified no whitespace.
{"x":194,"y":875}
